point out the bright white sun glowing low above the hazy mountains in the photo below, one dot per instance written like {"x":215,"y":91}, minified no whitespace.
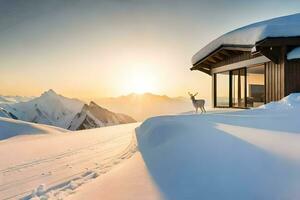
{"x":141,"y":79}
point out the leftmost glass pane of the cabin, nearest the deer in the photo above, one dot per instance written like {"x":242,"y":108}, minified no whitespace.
{"x":222,"y":89}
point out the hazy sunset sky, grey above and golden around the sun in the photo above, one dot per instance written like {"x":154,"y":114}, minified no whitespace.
{"x":91,"y":49}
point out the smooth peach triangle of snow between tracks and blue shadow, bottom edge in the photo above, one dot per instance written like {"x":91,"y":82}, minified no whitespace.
{"x":129,"y":180}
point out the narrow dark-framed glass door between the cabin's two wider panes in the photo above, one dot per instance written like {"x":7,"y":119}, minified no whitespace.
{"x":238,"y":85}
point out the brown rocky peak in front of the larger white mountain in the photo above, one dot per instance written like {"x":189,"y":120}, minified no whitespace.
{"x":94,"y":116}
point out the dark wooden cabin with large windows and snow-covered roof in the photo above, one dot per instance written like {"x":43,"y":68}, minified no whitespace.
{"x":253,"y":65}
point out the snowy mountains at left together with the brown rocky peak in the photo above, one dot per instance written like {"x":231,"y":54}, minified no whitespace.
{"x":56,"y":110}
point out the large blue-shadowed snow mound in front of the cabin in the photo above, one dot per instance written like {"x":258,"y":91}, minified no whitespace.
{"x":251,"y":154}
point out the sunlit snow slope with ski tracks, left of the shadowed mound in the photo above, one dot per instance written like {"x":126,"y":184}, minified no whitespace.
{"x":52,"y":166}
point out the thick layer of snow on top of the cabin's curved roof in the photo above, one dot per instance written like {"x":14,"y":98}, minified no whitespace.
{"x":286,"y":26}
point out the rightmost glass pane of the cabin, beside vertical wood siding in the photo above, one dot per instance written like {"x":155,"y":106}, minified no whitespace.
{"x":255,"y":86}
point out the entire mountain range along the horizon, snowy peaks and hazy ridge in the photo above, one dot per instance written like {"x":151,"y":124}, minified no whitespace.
{"x":73,"y":114}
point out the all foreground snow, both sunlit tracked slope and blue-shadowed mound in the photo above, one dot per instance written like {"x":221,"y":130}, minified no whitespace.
{"x":243,"y":154}
